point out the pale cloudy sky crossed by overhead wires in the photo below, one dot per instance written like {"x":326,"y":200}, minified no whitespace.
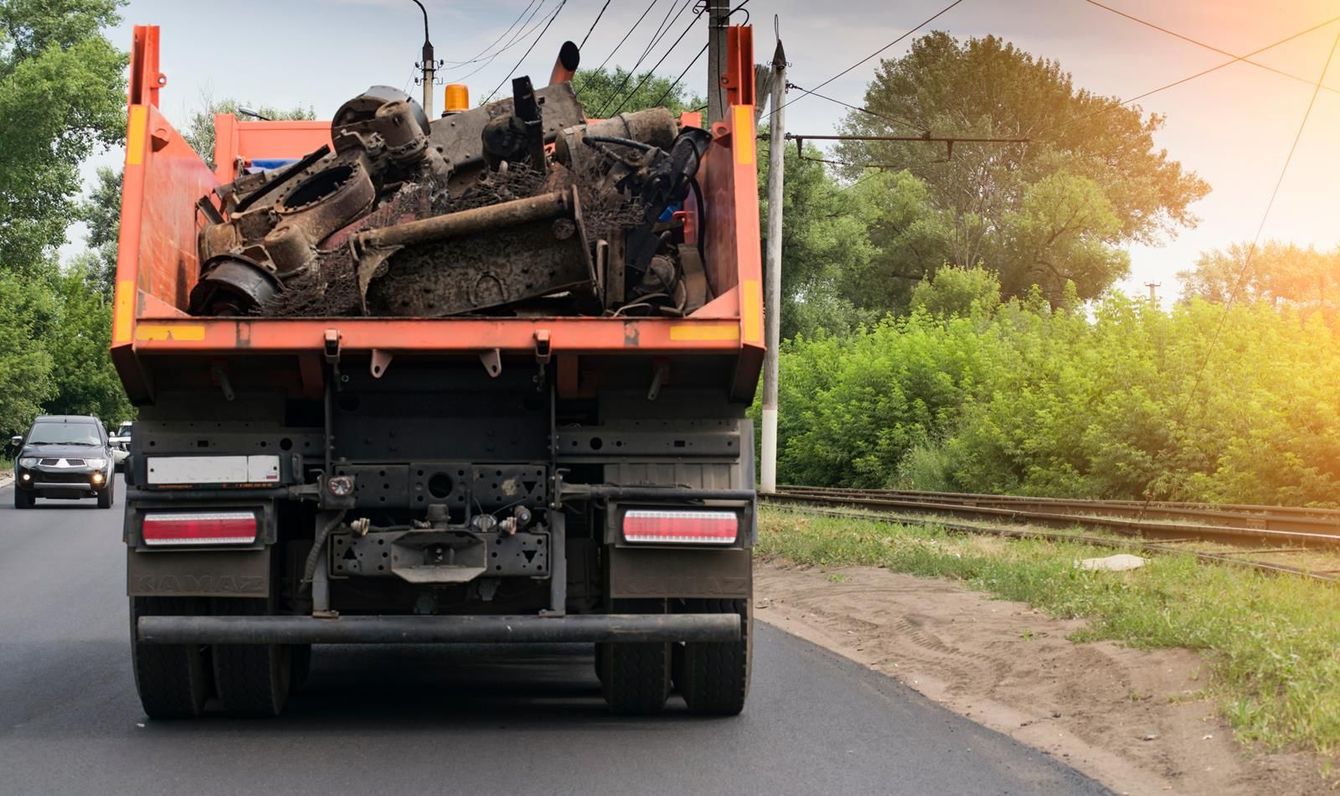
{"x":1235,"y":128}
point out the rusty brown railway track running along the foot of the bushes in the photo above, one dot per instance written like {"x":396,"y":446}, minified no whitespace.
{"x":1252,"y":531}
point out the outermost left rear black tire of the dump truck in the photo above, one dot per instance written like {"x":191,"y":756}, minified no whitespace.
{"x":174,"y":681}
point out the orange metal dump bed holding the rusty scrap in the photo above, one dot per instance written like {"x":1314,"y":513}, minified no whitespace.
{"x":159,"y":265}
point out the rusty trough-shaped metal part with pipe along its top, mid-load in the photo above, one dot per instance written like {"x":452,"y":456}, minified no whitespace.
{"x":478,"y":259}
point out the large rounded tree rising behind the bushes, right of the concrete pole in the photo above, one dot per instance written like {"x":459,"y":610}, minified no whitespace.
{"x":1051,"y":212}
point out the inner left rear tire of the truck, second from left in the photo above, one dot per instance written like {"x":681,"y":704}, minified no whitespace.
{"x":253,"y":680}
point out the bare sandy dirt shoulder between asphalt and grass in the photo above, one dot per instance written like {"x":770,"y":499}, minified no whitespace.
{"x":1136,"y":720}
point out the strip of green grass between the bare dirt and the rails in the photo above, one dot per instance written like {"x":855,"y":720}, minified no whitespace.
{"x":1274,"y":643}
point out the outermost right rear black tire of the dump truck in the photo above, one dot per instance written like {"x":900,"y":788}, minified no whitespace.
{"x":715,"y":677}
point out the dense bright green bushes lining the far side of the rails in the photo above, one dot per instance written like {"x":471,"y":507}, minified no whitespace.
{"x":1121,"y":400}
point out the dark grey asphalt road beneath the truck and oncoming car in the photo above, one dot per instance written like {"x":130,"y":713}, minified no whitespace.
{"x":487,"y":720}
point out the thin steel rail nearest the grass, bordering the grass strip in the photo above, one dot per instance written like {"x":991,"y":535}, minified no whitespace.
{"x":1126,"y":543}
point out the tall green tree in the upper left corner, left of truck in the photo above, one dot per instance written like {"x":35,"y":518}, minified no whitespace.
{"x":62,"y":98}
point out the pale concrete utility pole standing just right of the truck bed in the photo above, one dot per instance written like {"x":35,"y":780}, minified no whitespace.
{"x":773,"y":295}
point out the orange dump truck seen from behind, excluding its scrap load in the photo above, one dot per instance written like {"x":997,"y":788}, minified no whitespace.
{"x":468,"y":479}
